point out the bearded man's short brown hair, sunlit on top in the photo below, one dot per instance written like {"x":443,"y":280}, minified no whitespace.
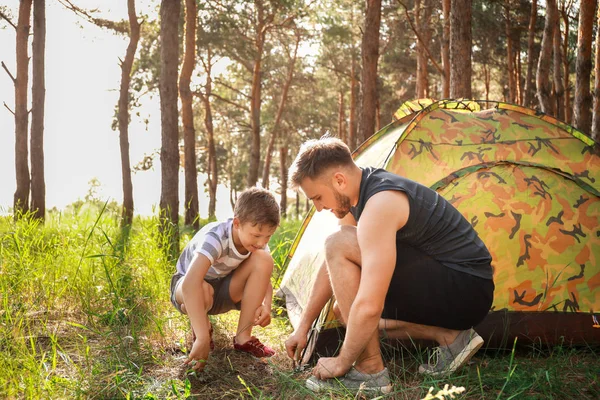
{"x":316,"y":156}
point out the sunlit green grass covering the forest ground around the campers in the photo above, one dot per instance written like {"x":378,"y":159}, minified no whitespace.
{"x":84,"y":313}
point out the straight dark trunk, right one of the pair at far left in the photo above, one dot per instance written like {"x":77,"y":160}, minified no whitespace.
{"x":38,"y":100}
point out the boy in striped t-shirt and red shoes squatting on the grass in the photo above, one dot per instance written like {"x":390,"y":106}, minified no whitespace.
{"x":227,"y":265}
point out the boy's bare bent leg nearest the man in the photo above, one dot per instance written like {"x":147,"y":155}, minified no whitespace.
{"x":249,"y":284}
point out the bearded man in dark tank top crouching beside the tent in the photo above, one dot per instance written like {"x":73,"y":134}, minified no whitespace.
{"x":404,"y":260}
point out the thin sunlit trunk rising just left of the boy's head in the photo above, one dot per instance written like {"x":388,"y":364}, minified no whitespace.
{"x":213,"y":173}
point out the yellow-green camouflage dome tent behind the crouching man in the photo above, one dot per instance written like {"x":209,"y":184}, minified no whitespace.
{"x":528,"y":183}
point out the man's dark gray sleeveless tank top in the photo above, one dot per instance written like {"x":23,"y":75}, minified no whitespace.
{"x":434,"y":226}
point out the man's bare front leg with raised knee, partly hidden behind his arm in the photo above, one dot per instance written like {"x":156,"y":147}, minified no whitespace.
{"x":343,"y":263}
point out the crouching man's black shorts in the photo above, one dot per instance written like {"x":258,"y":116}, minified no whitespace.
{"x":426,"y":292}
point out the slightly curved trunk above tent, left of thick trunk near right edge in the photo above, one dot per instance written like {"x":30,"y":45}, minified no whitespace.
{"x":545,"y":59}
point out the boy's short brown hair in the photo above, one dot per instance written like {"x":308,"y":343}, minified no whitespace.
{"x":258,"y":207}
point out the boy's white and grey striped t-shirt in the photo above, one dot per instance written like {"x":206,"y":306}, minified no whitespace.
{"x":215,"y":241}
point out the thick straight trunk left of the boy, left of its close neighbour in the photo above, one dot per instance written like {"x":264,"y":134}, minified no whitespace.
{"x":169,"y":152}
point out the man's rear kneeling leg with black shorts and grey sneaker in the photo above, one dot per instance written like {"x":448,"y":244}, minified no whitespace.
{"x":432,"y":301}
